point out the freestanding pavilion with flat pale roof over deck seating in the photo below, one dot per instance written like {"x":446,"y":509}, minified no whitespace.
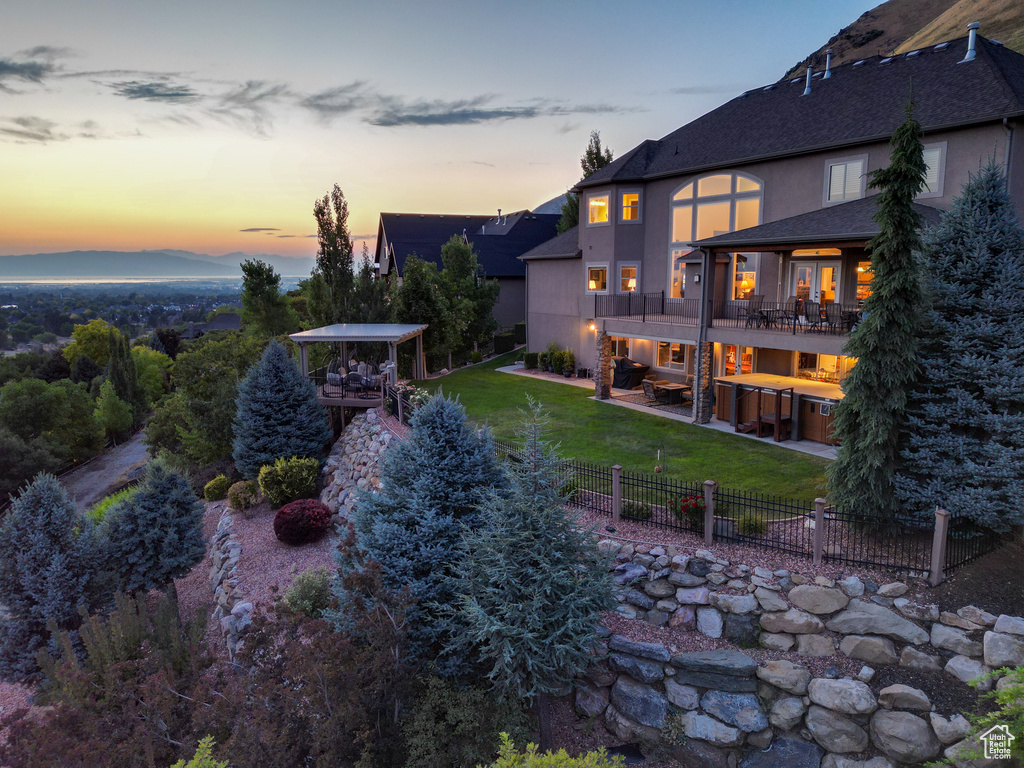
{"x":336,"y":386}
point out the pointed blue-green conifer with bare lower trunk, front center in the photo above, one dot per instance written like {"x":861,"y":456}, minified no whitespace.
{"x":531,"y":584}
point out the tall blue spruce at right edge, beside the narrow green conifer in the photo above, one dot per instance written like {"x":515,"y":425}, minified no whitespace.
{"x":965,"y":445}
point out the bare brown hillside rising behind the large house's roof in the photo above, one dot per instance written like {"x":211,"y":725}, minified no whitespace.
{"x":903,"y":26}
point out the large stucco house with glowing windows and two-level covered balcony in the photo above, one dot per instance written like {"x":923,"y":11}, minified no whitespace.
{"x":734,"y":250}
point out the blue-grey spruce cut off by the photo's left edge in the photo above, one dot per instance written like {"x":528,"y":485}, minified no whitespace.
{"x":49,"y":569}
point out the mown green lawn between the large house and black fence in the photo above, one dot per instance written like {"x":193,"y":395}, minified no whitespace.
{"x":609,"y":435}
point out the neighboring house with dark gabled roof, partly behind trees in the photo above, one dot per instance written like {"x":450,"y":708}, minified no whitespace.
{"x":498,"y":241}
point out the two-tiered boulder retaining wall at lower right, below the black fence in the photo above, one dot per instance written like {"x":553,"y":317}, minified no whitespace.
{"x":716,"y":706}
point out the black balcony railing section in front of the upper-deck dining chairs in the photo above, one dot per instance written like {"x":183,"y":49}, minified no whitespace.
{"x":799,"y":318}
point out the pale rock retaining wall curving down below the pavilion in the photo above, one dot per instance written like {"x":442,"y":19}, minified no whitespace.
{"x":354,"y":463}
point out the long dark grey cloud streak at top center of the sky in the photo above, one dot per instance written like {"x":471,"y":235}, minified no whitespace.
{"x":396,"y":112}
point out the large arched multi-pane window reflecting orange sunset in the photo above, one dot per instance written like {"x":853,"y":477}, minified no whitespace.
{"x":709,"y":206}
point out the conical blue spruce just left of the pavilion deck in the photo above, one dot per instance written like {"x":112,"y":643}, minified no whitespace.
{"x":278,"y":414}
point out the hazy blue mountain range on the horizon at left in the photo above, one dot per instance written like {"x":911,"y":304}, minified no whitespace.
{"x":164,"y":264}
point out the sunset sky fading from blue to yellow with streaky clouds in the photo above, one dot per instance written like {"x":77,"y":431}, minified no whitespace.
{"x":214,"y":126}
